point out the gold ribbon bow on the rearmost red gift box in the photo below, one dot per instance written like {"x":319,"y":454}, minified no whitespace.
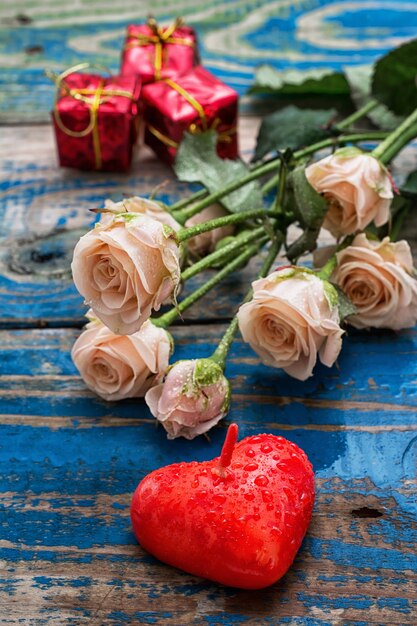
{"x":160,"y":36}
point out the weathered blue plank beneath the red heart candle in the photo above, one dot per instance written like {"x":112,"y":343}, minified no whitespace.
{"x":70,"y":461}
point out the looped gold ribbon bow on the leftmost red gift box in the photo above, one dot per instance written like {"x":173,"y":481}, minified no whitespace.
{"x":92,"y":98}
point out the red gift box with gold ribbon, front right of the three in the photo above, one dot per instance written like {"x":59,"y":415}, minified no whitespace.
{"x":194,"y":102}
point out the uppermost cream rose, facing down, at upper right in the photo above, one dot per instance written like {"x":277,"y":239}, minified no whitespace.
{"x":357,"y":187}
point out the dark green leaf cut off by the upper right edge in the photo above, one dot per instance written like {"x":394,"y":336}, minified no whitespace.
{"x":394,"y":79}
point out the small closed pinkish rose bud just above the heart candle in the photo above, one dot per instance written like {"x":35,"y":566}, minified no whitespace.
{"x":193,"y":397}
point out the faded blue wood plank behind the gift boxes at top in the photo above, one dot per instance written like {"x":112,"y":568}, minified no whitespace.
{"x":234,"y":39}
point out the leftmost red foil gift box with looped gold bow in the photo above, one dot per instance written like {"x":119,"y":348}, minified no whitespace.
{"x":95,"y":121}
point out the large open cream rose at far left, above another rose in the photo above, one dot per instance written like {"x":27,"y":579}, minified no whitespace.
{"x":125,"y":268}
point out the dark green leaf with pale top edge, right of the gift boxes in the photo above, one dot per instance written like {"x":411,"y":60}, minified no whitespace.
{"x":293,"y":82}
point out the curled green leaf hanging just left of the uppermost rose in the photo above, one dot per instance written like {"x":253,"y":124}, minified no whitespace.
{"x":310,"y":208}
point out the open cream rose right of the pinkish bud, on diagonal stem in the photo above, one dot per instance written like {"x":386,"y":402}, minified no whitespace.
{"x":291,"y":319}
